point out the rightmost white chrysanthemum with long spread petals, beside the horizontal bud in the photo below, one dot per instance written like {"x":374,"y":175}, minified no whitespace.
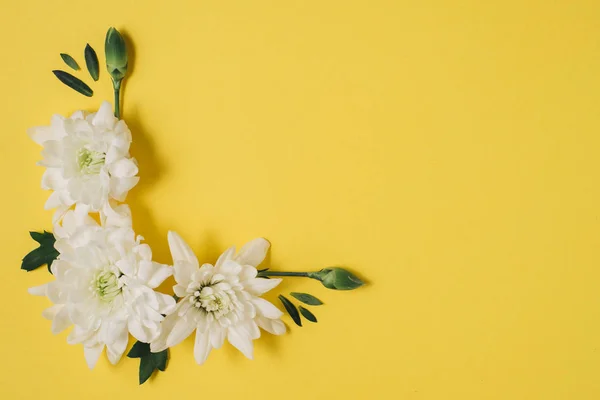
{"x":219,"y":301}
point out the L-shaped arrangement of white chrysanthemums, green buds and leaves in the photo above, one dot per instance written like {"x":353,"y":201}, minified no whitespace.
{"x":104,"y":278}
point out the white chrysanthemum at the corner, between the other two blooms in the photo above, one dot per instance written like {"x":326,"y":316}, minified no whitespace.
{"x":104,"y":281}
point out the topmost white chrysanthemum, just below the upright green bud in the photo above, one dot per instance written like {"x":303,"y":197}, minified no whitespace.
{"x":87,"y":159}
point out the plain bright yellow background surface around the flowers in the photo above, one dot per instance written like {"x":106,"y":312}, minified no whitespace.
{"x":448,"y":151}
